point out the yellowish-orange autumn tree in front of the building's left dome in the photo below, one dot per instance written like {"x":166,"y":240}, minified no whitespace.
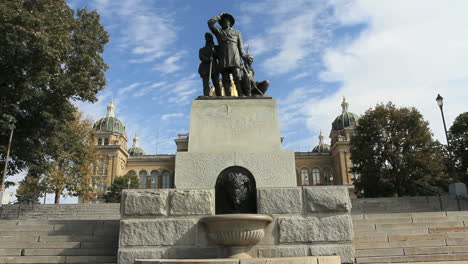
{"x":72,"y":155}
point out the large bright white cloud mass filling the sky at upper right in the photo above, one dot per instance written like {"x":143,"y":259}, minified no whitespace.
{"x":408,"y":52}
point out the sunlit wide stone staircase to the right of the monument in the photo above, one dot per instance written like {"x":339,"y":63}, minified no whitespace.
{"x":411,"y":230}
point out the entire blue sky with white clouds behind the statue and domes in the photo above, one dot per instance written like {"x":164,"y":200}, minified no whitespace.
{"x":314,"y":52}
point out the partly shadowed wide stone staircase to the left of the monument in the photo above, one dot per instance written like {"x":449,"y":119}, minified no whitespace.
{"x":59,"y":234}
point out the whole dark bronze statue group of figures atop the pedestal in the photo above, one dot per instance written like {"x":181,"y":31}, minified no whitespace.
{"x":225,"y":59}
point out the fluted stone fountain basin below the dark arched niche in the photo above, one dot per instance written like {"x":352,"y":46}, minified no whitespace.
{"x":236,"y":229}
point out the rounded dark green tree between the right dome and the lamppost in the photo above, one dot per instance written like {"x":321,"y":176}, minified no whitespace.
{"x":392,"y":148}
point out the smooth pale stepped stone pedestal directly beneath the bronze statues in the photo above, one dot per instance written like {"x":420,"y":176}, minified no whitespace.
{"x":234,"y":132}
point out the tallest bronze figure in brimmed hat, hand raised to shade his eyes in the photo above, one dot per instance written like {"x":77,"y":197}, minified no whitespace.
{"x":230,"y":52}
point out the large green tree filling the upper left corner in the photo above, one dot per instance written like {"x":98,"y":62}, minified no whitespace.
{"x":49,"y":56}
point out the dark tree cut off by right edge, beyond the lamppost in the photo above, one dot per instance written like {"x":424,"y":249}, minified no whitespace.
{"x":458,"y":136}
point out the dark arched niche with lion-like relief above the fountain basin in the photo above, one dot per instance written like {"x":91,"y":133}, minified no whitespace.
{"x":236,"y":191}
